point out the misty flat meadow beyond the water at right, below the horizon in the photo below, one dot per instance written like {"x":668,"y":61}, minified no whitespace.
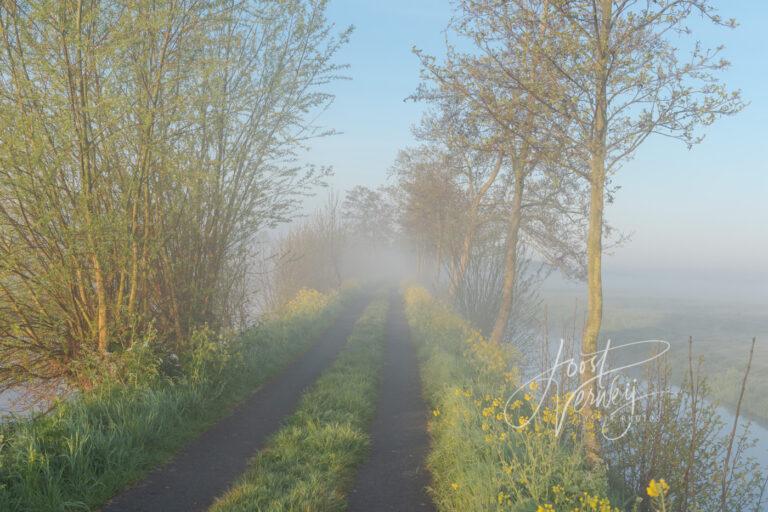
{"x":722,"y":331}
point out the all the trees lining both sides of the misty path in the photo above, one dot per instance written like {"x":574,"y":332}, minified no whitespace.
{"x":146,"y":144}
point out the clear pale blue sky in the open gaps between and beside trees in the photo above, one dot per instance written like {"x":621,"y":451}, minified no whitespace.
{"x":703,"y":212}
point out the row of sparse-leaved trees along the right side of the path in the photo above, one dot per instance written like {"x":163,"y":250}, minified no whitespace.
{"x":535,"y":106}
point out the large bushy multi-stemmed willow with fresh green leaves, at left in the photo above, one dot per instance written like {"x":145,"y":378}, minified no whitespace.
{"x":142,"y":146}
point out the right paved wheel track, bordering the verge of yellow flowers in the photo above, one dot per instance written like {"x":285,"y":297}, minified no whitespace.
{"x":394,"y":477}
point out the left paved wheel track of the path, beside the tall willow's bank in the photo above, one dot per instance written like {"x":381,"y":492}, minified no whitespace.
{"x":206,"y":467}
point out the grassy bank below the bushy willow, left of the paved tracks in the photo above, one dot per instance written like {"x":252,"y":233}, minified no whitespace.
{"x":90,"y":447}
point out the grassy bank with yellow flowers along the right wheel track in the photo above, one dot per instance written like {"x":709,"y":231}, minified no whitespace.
{"x":477,"y":460}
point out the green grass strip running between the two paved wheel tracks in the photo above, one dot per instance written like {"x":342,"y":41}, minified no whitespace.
{"x":310,"y":462}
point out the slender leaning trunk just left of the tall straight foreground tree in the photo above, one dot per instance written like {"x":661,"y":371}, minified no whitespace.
{"x":510,"y":260}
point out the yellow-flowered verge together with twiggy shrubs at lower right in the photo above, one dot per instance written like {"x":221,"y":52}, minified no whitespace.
{"x":479,"y":462}
